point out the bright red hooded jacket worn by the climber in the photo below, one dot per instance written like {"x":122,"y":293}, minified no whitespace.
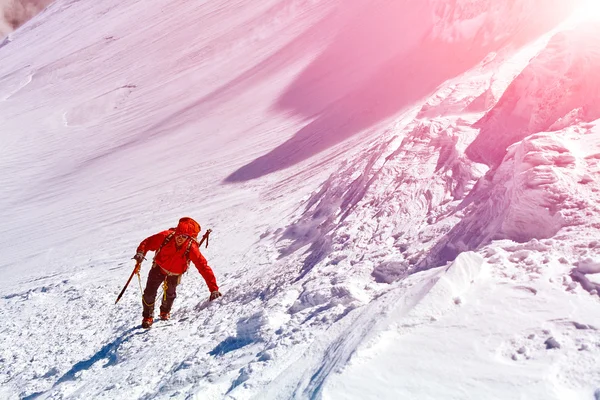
{"x":172,"y":258}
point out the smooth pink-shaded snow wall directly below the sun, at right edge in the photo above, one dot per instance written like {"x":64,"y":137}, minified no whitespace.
{"x":558,"y":88}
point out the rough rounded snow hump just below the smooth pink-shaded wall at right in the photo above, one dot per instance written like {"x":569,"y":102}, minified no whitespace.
{"x":539,"y":188}
